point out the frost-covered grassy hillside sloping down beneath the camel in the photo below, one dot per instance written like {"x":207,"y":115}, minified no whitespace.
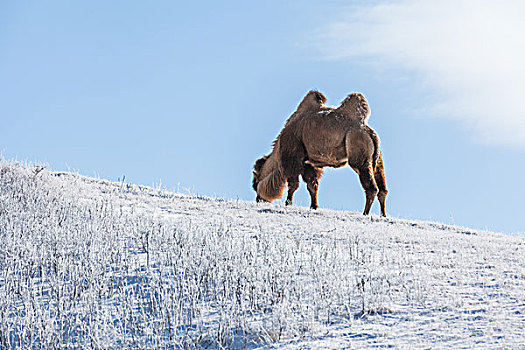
{"x":86,"y":263}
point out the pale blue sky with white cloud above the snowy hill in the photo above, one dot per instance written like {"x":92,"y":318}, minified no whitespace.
{"x":190,"y":94}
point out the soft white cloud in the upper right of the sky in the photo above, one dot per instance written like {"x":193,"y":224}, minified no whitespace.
{"x":472,"y":52}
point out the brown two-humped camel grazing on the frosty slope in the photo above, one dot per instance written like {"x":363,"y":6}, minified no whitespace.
{"x":316,"y":136}
